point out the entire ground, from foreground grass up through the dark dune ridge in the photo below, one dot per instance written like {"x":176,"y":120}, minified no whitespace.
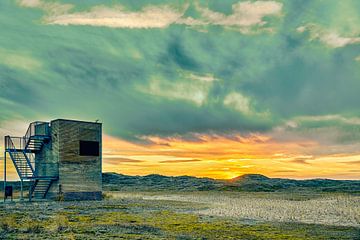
{"x":159,"y":207}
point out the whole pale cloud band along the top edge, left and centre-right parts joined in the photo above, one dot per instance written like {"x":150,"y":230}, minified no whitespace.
{"x":245,"y":15}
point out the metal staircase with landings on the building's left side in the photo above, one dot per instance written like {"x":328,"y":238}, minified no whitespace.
{"x":22,"y":151}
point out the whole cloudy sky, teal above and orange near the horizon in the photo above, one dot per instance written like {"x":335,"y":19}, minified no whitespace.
{"x":205,"y":88}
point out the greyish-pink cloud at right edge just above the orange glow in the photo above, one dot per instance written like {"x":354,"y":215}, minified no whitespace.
{"x":331,"y":134}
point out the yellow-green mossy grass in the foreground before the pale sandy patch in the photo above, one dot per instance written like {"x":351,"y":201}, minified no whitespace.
{"x":147,"y":216}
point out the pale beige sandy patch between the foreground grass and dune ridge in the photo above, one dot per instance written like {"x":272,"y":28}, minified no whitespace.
{"x":336,"y":210}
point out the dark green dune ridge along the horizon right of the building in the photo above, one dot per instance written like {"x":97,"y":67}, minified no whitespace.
{"x":245,"y":183}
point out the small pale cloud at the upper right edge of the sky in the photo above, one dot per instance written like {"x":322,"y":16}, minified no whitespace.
{"x":330,"y":38}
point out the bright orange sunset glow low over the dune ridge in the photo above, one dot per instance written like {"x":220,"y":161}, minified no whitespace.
{"x":222,"y":158}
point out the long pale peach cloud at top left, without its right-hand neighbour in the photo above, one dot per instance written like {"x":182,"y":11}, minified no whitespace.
{"x":115,"y":16}
